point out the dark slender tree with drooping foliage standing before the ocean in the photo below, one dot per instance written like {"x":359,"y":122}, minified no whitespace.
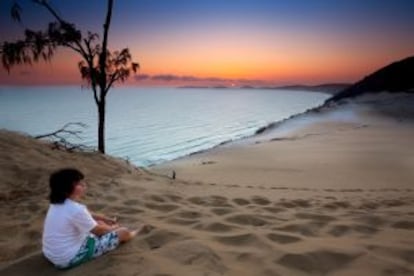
{"x":100,"y":67}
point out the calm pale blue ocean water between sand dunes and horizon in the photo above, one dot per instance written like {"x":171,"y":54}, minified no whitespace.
{"x":148,"y":126}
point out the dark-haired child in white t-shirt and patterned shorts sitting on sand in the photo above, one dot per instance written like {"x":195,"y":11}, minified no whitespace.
{"x":72,"y":235}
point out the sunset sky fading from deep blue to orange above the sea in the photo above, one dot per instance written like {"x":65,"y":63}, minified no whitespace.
{"x":228,"y":42}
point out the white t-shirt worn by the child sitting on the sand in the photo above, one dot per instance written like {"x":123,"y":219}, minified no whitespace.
{"x":66,"y":227}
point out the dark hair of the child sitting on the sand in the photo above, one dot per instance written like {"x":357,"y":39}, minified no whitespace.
{"x":62,"y":183}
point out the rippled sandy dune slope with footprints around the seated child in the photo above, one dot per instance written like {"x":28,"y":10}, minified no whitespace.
{"x":329,"y":192}
